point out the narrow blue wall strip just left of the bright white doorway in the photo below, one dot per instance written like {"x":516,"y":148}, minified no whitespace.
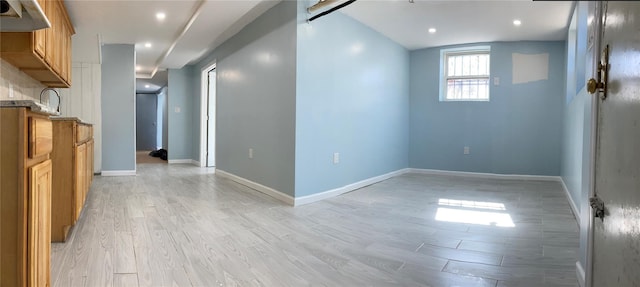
{"x":181,"y":131}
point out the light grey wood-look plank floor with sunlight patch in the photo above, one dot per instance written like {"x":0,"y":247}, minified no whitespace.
{"x":179,"y":225}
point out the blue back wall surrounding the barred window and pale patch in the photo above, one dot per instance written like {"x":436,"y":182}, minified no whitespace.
{"x":519,"y":131}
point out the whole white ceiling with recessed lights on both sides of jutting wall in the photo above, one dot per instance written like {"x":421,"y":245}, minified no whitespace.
{"x":192,"y":28}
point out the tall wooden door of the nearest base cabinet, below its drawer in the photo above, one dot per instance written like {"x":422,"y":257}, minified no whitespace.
{"x":39,"y":225}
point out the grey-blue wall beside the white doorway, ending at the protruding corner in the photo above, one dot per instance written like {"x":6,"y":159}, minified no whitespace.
{"x":256,"y":80}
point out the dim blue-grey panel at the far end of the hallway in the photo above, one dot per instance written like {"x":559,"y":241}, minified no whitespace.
{"x":146,"y":125}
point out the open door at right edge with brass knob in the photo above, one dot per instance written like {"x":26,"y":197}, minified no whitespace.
{"x":616,"y":236}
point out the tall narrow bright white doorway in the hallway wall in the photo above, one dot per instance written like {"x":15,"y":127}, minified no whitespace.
{"x":208,"y":118}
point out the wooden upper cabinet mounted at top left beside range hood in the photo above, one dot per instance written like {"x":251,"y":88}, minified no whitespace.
{"x":45,"y":54}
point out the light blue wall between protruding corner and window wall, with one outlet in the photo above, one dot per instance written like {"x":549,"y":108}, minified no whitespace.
{"x":352,"y":98}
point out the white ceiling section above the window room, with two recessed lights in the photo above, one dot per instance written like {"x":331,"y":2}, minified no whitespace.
{"x":460,"y":22}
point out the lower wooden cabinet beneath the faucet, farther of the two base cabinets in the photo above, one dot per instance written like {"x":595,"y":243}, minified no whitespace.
{"x":72,"y":158}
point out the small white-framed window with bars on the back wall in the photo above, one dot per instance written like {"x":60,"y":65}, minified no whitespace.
{"x":465,"y":74}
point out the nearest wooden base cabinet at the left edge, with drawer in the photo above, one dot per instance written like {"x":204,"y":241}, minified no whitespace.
{"x":25,"y":193}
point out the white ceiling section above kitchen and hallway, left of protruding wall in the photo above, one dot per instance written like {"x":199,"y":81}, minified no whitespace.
{"x":191,"y":28}
